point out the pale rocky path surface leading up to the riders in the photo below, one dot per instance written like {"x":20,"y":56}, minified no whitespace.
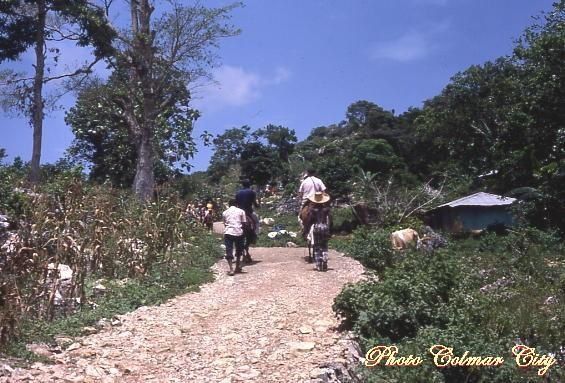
{"x":272,"y":323}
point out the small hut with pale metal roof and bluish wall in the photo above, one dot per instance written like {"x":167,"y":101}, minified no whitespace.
{"x":471,"y":213}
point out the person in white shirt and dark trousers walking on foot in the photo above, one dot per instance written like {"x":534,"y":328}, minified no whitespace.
{"x":234,"y":219}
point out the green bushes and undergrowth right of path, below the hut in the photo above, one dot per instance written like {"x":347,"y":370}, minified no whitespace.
{"x":482,"y":296}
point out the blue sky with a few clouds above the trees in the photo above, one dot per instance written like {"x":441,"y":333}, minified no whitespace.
{"x":300,"y":63}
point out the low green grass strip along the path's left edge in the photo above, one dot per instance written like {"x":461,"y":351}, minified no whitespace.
{"x":190,"y":269}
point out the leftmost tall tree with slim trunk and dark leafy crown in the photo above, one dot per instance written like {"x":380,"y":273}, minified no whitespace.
{"x":34,"y":23}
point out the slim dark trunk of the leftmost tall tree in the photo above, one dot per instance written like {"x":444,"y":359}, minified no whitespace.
{"x":37,"y":98}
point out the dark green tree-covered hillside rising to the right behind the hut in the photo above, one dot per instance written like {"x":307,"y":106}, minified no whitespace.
{"x":496,"y":126}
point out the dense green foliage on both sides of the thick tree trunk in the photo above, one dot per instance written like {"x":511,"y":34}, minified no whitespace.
{"x":104,"y":141}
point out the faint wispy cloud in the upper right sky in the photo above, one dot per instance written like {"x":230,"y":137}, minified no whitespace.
{"x":413,"y":45}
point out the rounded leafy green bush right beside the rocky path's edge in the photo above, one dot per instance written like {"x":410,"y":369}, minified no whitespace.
{"x":411,"y":295}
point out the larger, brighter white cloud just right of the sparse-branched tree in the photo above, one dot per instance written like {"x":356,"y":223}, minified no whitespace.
{"x":234,"y":86}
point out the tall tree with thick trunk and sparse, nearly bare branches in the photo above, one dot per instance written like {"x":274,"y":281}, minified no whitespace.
{"x":156,"y":52}
